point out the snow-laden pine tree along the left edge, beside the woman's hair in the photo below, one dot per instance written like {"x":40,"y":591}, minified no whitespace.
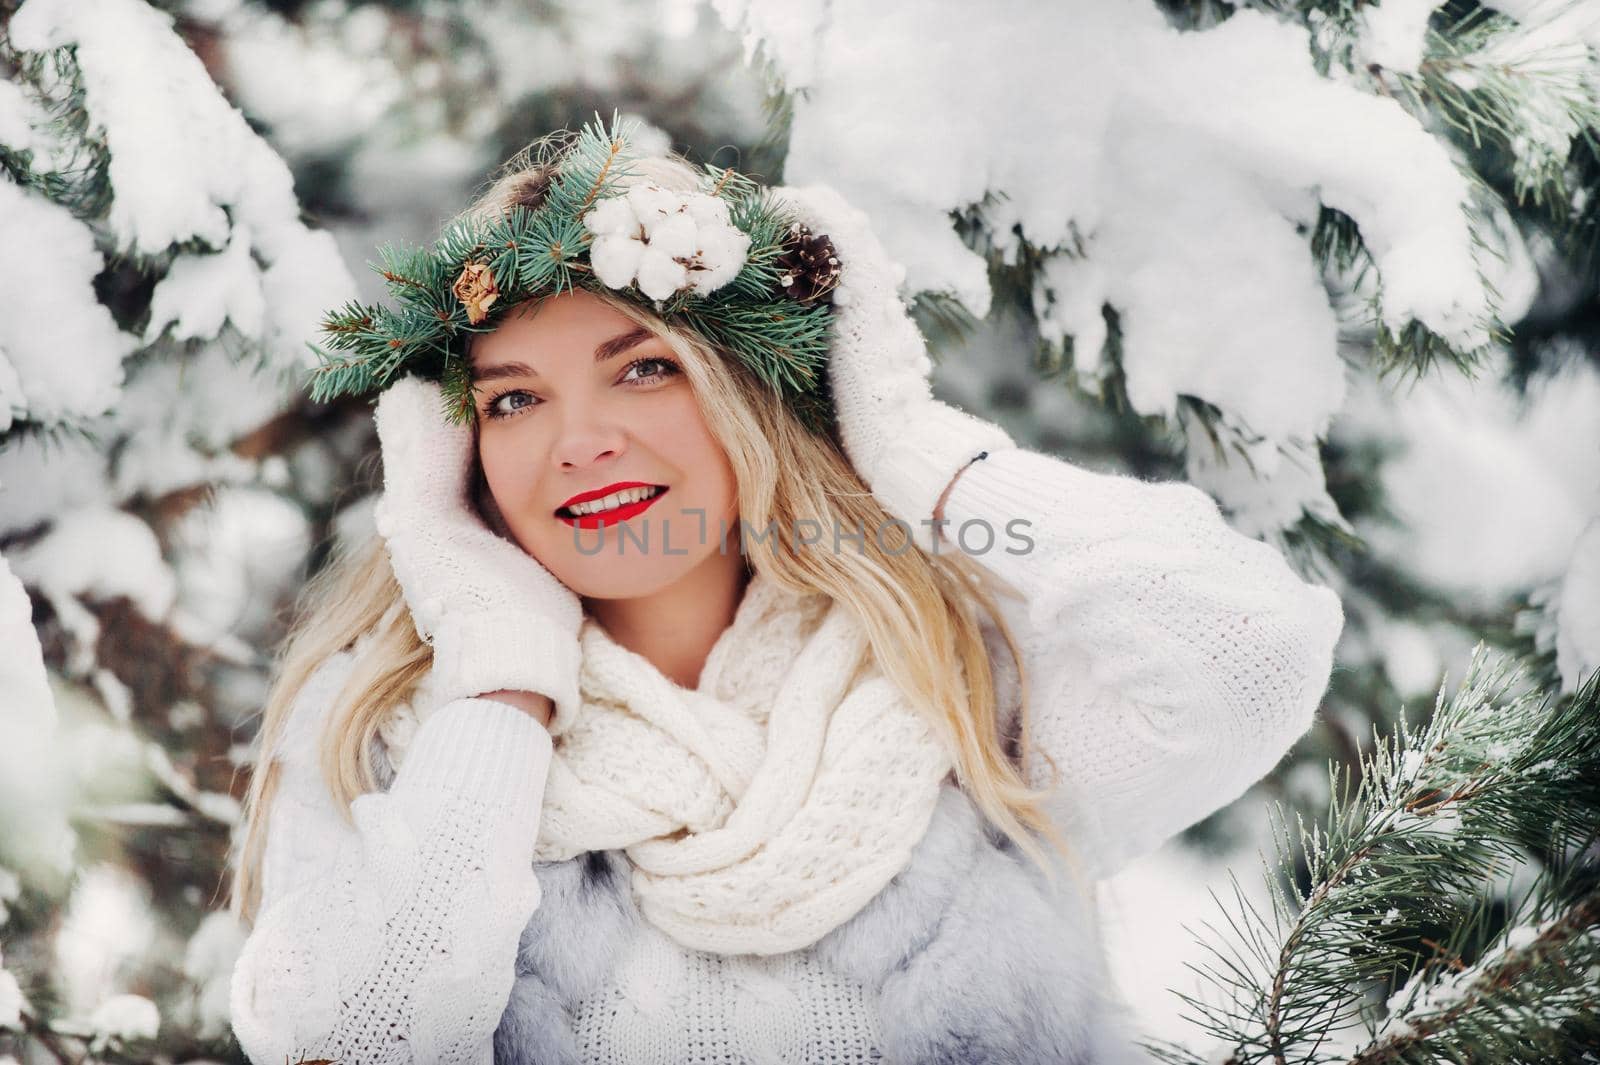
{"x":159,"y":289}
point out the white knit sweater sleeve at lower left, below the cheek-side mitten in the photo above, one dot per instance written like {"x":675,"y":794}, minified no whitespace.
{"x":394,"y":938}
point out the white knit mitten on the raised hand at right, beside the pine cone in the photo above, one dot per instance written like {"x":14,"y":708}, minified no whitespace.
{"x":905,"y":444}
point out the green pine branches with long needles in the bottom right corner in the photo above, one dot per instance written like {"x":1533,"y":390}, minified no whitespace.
{"x":1444,"y":909}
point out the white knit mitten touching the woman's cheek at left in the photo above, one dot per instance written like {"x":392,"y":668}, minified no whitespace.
{"x":495,"y":616}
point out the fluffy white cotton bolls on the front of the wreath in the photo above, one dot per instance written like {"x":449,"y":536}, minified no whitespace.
{"x":665,"y":242}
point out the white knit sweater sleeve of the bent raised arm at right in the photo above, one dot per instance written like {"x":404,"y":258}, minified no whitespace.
{"x":1172,"y":660}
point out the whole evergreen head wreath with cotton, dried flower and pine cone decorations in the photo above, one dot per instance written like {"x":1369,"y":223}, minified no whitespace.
{"x":727,"y":261}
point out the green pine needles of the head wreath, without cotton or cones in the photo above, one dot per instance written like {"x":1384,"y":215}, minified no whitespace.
{"x":546,"y":252}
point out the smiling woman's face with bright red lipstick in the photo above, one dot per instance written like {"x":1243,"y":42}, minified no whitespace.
{"x":575,"y":401}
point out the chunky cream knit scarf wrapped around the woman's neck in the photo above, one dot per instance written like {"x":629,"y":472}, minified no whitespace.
{"x":762,"y":810}
